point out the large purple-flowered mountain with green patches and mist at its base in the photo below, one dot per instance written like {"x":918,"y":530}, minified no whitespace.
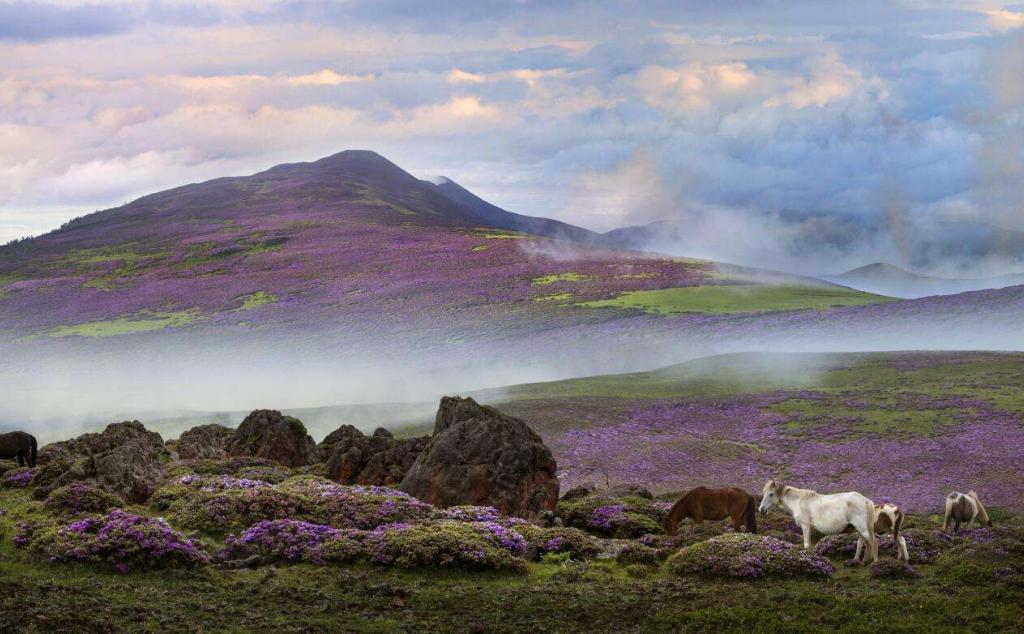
{"x":349,"y":280}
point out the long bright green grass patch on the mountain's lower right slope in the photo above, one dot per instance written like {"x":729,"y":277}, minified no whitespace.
{"x":737,"y":299}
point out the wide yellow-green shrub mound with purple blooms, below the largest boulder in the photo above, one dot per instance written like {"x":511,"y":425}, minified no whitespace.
{"x":447,"y":544}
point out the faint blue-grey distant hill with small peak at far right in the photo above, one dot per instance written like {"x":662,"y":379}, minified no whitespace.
{"x":895,"y":282}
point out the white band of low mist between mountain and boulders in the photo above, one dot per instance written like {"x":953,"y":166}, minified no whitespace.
{"x":63,"y":390}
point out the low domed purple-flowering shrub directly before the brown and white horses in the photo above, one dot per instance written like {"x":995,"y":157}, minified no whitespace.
{"x":748,"y":557}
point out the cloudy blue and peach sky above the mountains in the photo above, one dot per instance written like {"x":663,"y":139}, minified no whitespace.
{"x":807,"y":136}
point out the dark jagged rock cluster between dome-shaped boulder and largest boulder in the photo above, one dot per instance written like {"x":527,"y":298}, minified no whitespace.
{"x":381,"y":459}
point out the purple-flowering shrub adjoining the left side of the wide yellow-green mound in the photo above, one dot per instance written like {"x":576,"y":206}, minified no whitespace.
{"x":292,"y":540}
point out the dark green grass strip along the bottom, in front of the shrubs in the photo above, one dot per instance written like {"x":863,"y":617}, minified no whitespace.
{"x":40,"y":597}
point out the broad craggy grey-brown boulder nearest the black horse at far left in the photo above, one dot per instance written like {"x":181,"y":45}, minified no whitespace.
{"x":125,"y":459}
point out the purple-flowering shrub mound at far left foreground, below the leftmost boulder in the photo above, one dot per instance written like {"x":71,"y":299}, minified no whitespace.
{"x":120,"y":539}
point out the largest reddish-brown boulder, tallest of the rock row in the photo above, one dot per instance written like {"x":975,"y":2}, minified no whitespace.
{"x":482,"y":457}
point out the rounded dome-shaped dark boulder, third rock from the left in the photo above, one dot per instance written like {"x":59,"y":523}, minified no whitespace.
{"x":269,"y":434}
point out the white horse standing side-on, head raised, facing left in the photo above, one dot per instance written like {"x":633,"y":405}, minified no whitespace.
{"x":820,"y":515}
